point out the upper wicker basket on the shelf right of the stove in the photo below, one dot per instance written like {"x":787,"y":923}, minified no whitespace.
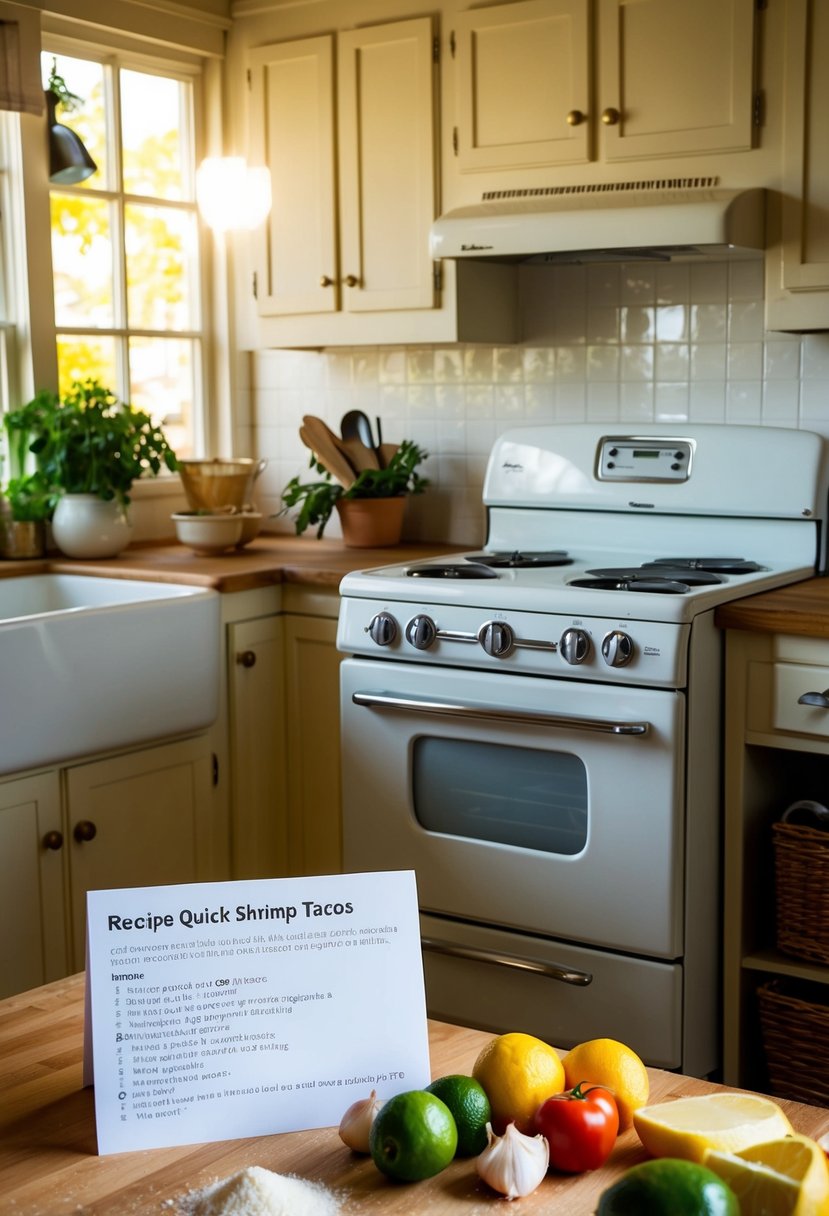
{"x":802,"y":868}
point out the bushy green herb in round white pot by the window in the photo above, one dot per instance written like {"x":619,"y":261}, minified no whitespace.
{"x":89,"y":448}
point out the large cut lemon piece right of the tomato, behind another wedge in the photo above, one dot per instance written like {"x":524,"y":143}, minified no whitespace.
{"x":726,"y":1122}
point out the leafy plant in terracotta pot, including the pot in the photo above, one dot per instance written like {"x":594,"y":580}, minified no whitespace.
{"x":371,"y":510}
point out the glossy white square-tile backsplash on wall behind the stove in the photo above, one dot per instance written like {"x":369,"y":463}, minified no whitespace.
{"x":622,"y":344}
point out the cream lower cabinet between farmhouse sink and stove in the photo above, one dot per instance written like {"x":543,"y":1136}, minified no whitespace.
{"x":284,"y":733}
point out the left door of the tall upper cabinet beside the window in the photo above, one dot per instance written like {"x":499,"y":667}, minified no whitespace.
{"x":292,"y":103}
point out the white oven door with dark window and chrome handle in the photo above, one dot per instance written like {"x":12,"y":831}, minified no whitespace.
{"x":540,"y":806}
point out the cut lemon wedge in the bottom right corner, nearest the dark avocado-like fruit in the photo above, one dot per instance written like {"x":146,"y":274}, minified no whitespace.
{"x":783,"y":1178}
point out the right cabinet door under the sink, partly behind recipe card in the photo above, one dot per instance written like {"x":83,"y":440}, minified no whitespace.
{"x":139,"y":820}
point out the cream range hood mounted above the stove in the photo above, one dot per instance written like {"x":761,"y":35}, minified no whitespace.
{"x":635,"y":222}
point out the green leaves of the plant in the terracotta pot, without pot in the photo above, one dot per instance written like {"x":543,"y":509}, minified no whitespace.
{"x":317,"y":499}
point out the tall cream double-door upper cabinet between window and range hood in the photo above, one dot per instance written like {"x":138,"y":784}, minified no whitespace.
{"x":356,"y":243}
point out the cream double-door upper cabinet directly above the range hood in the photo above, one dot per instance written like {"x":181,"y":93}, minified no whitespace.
{"x":656,"y":78}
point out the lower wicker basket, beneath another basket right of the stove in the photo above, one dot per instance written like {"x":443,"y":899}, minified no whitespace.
{"x":796,"y":1027}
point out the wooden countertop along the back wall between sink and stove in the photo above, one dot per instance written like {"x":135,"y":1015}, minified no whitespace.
{"x":264,"y":562}
